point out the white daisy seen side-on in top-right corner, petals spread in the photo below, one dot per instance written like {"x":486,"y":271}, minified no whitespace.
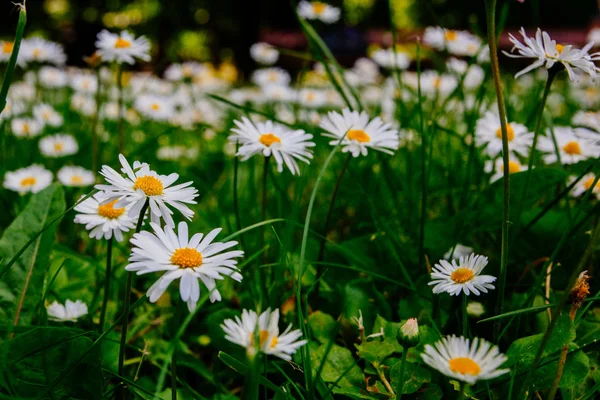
{"x":547,"y":53}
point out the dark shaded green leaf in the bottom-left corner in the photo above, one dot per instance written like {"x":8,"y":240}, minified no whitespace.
{"x":31,"y":362}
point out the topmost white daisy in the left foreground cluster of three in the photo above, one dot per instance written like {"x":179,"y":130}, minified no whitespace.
{"x":140,"y":183}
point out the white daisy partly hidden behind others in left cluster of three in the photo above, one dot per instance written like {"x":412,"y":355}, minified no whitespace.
{"x":104,"y":220}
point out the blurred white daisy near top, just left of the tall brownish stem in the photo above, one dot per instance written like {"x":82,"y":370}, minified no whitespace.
{"x":460,"y":43}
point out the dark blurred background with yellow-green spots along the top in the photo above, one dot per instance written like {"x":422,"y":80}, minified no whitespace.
{"x":223,"y":30}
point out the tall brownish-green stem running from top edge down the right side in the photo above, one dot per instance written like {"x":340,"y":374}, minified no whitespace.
{"x":491,"y":30}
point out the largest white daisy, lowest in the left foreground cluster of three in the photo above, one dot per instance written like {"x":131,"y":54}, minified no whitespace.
{"x":185,"y":258}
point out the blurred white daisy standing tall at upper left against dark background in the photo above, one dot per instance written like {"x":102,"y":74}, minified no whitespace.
{"x":122,"y":47}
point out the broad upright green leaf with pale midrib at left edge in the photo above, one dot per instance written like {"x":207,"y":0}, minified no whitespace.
{"x":22,"y":287}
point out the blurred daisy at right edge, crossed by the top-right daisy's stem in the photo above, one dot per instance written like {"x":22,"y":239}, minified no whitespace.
{"x":574,"y":145}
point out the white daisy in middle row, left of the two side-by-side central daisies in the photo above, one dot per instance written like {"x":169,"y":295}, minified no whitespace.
{"x":271,"y":139}
